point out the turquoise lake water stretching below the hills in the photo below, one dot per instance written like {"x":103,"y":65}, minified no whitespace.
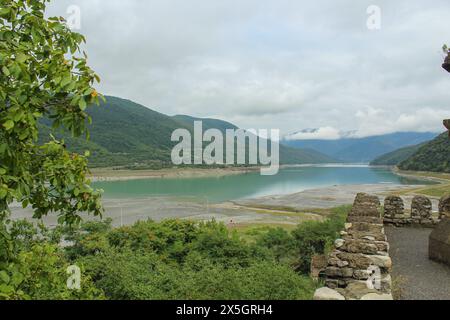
{"x":289,"y":180}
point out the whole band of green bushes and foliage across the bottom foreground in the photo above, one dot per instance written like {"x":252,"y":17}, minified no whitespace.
{"x":173,"y":259}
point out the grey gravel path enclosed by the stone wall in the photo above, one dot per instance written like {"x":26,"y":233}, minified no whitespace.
{"x":418,"y":277}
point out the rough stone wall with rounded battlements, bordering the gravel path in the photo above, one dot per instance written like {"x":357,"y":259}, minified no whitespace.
{"x":359,"y":266}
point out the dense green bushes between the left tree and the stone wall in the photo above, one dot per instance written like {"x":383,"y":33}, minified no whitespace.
{"x":189,"y":261}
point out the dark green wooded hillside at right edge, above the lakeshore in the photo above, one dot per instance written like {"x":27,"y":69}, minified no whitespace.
{"x":433,"y":156}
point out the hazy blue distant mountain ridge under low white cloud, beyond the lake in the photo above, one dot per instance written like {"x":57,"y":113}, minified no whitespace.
{"x":362,"y":150}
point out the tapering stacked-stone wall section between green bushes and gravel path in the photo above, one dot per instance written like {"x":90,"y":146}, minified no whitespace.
{"x":359,"y":266}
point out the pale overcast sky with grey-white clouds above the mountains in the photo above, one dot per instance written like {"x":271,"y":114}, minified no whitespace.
{"x":275,"y":64}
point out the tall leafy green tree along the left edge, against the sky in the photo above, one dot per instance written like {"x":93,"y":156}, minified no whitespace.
{"x":42,"y":74}
